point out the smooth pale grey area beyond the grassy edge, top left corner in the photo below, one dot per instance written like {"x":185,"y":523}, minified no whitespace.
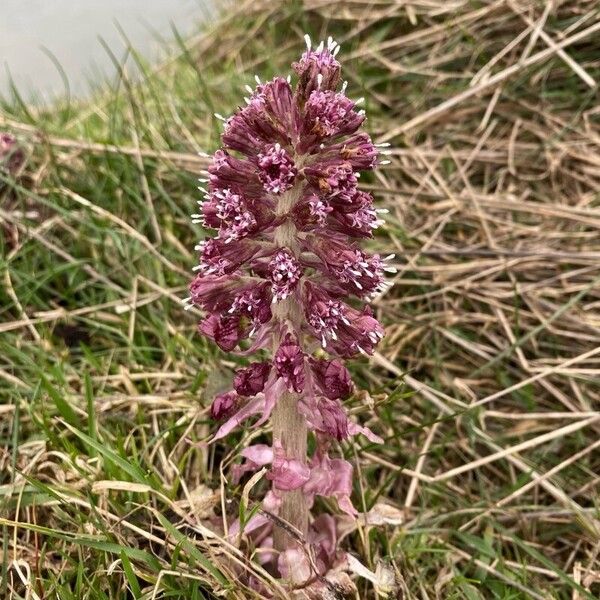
{"x":70,"y":29}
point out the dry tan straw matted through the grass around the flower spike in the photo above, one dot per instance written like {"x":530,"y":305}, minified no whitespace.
{"x":493,"y":322}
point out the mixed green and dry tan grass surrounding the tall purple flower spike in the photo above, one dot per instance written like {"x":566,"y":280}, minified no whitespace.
{"x":485,"y":388}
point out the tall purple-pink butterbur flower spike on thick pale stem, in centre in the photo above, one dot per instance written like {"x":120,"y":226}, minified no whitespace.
{"x":286,"y":271}
